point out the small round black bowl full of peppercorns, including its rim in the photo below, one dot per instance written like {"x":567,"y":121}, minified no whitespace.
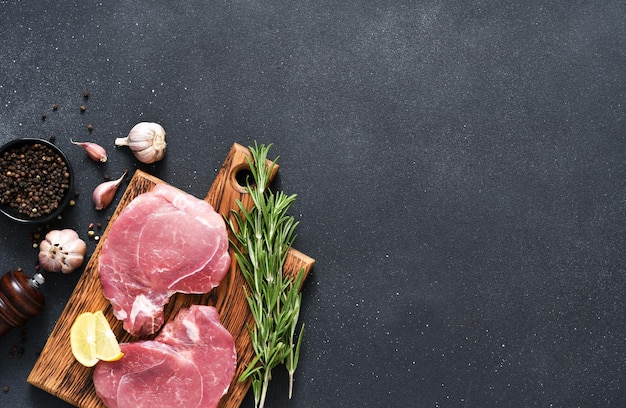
{"x":36,"y":180}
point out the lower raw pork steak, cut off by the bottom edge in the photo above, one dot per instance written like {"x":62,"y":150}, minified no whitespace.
{"x":189,"y":364}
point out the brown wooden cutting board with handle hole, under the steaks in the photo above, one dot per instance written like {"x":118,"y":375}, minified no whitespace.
{"x":57,"y":372}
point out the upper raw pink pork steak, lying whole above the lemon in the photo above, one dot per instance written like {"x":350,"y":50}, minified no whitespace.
{"x":165,"y":241}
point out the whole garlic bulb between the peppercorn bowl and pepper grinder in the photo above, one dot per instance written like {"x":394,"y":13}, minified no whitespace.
{"x":61,"y":251}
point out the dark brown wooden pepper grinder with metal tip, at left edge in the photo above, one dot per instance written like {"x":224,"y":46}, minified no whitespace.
{"x":20,"y":299}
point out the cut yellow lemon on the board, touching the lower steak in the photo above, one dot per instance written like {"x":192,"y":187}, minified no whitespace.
{"x":92,"y":339}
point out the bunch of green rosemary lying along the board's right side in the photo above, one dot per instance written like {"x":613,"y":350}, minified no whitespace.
{"x":264,"y":234}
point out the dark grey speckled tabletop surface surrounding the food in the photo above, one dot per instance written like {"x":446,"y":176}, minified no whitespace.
{"x":460,"y":170}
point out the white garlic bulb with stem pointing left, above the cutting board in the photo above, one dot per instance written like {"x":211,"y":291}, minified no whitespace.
{"x":146,"y":140}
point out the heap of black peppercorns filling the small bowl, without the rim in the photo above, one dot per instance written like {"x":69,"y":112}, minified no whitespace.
{"x":33,"y":179}
